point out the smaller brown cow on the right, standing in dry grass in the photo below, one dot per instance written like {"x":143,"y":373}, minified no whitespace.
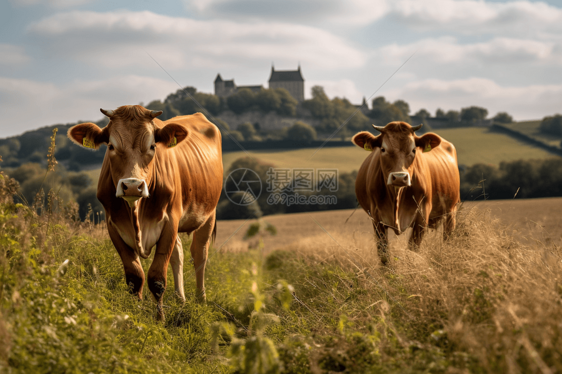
{"x":407,"y":181}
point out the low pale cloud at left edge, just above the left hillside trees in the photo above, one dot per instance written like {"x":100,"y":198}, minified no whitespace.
{"x":27,"y":104}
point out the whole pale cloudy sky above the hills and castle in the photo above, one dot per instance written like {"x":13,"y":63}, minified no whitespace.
{"x":62,"y":60}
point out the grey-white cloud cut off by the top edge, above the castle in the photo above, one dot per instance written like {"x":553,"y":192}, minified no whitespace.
{"x":335,"y":11}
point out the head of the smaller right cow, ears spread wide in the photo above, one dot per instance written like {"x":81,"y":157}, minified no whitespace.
{"x":398,"y":146}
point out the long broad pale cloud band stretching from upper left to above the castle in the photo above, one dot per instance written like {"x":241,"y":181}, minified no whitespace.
{"x":120,"y":39}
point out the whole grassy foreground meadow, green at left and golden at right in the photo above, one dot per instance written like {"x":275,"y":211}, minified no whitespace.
{"x":482,"y":302}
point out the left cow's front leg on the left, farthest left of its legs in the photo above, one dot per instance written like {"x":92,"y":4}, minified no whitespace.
{"x":134,"y":275}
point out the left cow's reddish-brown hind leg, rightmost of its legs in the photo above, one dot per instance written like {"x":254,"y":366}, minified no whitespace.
{"x":199,"y":251}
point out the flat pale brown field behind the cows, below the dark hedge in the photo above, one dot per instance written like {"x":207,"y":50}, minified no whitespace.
{"x":527,"y":220}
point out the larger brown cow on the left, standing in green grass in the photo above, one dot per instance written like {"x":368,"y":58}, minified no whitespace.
{"x":157,"y":179}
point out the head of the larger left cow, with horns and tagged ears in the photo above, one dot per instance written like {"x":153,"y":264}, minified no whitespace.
{"x":133,"y":142}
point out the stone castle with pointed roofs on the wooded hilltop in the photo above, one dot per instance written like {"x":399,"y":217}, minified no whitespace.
{"x":291,"y":80}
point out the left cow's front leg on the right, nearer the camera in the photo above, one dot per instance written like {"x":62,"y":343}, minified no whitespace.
{"x":157,"y":273}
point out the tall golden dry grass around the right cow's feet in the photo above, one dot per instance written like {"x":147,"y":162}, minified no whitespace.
{"x":482,"y":297}
